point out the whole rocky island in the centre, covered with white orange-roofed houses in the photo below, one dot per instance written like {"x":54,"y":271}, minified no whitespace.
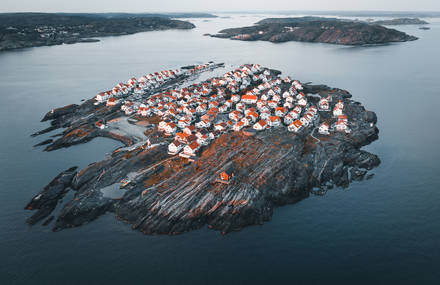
{"x":223,"y":152}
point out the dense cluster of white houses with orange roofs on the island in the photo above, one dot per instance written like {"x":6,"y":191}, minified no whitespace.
{"x":248,"y":97}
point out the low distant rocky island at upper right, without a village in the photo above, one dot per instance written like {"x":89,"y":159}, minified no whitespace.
{"x":316,"y":29}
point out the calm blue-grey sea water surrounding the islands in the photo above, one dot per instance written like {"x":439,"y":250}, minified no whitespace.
{"x":381,"y":231}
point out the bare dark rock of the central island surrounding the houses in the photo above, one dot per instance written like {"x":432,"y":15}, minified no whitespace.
{"x":170,"y":194}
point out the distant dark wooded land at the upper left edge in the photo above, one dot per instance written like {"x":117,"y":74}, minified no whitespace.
{"x":22,"y":30}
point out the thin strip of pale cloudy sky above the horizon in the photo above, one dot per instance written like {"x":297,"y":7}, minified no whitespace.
{"x":213,"y":6}
